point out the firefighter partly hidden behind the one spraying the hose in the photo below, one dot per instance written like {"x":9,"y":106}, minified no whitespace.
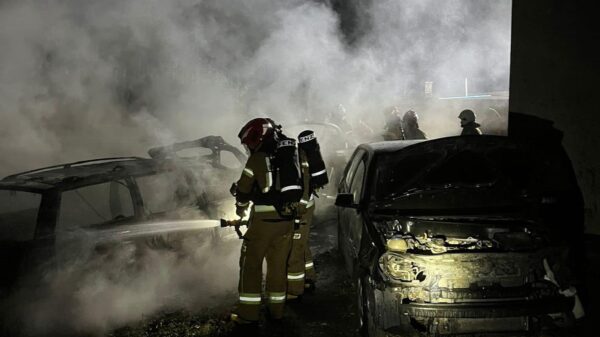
{"x":301,"y":273}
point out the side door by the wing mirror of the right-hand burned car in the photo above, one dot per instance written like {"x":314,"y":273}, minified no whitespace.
{"x":350,"y":219}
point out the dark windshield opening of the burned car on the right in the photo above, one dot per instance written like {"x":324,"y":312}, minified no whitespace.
{"x":517,"y":173}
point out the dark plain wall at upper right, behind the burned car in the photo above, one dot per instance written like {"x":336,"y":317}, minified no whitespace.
{"x":554,"y":75}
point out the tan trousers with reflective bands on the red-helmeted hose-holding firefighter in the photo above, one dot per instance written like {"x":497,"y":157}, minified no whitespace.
{"x":269,"y":237}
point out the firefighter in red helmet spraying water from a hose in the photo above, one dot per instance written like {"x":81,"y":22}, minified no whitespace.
{"x":269,"y":234}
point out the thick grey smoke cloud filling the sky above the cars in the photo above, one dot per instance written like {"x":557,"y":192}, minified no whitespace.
{"x":86,"y":79}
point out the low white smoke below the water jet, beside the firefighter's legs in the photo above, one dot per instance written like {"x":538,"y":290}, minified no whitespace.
{"x":92,"y":293}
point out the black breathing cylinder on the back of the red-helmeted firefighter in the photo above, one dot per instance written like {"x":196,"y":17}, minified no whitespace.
{"x":288,"y":175}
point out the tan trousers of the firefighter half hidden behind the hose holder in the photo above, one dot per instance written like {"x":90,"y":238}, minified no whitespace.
{"x":300,"y":262}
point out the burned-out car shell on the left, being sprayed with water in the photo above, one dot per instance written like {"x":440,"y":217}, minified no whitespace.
{"x":49,"y":214}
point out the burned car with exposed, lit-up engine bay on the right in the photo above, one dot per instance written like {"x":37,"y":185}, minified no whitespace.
{"x":461,"y":235}
